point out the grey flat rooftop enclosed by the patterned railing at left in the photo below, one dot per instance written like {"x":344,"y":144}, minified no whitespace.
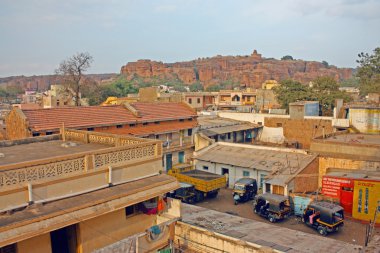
{"x":43,"y":150}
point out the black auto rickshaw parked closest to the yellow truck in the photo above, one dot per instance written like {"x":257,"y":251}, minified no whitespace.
{"x":244,"y":189}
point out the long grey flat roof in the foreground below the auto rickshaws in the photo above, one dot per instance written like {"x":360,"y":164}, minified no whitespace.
{"x":264,"y":234}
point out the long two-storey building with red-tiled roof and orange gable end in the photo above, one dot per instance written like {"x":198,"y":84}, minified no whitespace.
{"x":173,"y":123}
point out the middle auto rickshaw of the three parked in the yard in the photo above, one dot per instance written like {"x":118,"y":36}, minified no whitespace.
{"x":271,"y":206}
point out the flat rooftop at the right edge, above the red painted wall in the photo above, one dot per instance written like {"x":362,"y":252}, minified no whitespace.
{"x":351,"y":138}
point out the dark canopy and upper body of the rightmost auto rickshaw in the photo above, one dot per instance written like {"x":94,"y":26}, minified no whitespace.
{"x":327,"y":212}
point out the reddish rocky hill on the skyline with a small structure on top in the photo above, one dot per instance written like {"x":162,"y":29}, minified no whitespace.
{"x":251,"y":70}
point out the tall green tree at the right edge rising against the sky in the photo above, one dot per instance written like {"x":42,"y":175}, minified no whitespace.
{"x":369,"y":72}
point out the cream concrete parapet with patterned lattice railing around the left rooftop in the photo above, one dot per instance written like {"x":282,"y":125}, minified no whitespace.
{"x":53,"y":178}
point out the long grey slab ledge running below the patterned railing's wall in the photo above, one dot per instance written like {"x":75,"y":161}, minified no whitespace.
{"x":55,"y":208}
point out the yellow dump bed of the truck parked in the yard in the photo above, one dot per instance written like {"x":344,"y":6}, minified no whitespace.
{"x":205,"y":184}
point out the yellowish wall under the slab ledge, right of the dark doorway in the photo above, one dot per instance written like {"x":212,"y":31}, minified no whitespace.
{"x":112,"y":227}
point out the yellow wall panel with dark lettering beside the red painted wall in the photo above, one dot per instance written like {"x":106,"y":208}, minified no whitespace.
{"x":358,"y":209}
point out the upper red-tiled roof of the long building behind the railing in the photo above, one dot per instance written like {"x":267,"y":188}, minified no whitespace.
{"x":92,"y":116}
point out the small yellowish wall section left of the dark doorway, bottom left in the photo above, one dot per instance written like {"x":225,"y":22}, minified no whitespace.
{"x":37,"y":244}
